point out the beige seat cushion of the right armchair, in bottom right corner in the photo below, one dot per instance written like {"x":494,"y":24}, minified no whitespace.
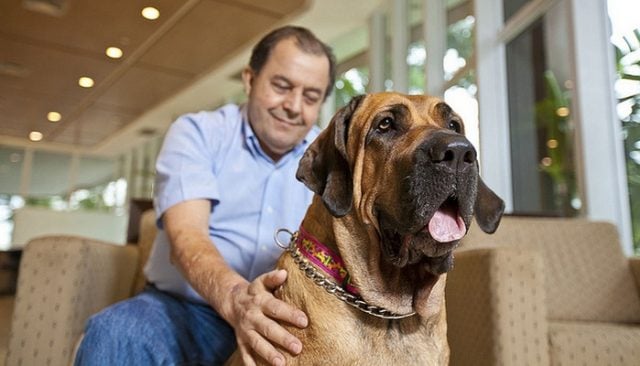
{"x":594,"y":344}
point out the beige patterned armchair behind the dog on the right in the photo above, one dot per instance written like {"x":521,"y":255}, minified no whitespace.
{"x":544,"y":292}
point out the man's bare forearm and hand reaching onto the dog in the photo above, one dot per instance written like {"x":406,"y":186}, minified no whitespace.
{"x":242,"y":304}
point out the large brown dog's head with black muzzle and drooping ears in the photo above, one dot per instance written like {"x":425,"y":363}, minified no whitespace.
{"x":401,"y":165}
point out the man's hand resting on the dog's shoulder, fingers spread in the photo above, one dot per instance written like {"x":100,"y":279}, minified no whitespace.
{"x":253,"y":312}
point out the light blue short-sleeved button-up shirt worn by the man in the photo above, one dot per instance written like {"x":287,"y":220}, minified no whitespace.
{"x":215,"y":155}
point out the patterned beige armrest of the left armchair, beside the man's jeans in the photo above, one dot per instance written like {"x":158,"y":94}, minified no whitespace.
{"x":62,"y":281}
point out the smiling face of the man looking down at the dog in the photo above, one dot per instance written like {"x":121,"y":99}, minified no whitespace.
{"x":286,"y":96}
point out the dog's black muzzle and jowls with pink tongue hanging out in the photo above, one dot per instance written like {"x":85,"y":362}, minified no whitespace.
{"x":437,"y":206}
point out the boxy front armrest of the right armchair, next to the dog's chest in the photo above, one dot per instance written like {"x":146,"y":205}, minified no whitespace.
{"x":496,"y":309}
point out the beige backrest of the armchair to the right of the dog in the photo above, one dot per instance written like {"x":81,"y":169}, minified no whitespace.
{"x":587,"y":276}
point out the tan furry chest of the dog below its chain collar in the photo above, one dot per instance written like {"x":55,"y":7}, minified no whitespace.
{"x":339,"y":334}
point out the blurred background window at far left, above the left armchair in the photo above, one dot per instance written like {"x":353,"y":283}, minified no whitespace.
{"x":56,"y":181}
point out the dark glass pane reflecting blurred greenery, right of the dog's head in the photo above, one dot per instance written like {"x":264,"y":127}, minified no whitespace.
{"x":541,"y":123}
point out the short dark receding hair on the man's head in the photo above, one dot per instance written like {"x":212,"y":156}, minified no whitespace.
{"x":305,"y":40}
